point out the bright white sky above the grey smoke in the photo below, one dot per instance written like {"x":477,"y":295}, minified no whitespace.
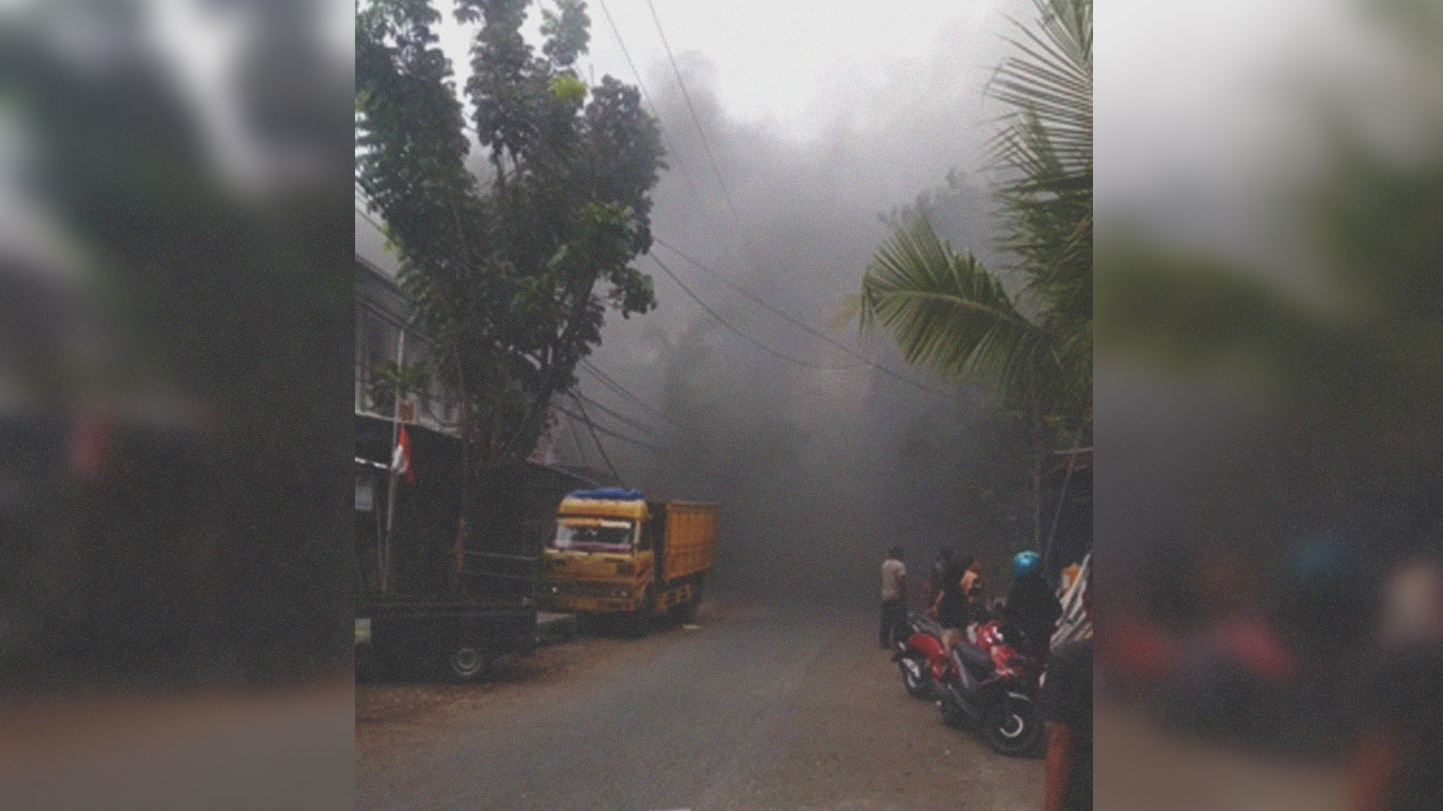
{"x":901,"y":83}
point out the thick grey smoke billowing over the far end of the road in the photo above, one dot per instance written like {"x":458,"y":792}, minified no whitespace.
{"x":820,"y":465}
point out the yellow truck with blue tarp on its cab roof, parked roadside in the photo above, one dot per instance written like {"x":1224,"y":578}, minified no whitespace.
{"x":615,"y":553}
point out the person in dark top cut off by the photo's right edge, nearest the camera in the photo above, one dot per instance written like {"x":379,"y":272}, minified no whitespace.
{"x":1067,"y":706}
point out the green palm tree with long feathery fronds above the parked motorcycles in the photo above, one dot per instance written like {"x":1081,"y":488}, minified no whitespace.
{"x":956,"y":317}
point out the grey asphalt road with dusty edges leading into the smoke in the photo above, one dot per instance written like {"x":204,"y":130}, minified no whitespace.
{"x":758,"y":709}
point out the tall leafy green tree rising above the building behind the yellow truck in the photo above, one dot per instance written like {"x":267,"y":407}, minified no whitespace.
{"x":506,"y":269}
